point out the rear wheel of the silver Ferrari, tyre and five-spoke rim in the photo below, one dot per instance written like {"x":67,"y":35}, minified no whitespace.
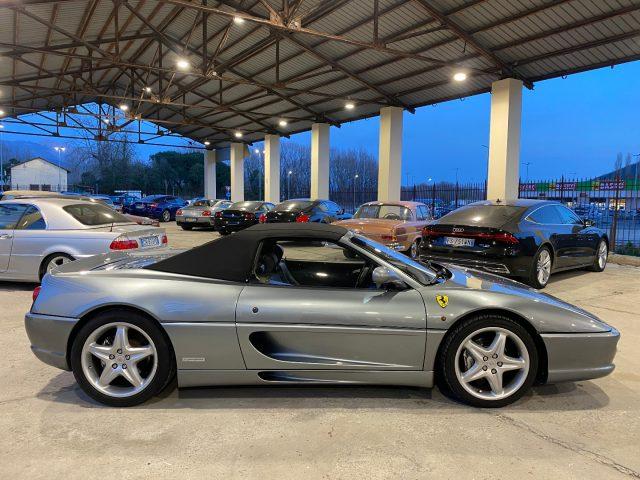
{"x":121,"y":358}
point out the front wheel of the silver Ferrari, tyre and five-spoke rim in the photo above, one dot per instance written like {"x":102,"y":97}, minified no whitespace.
{"x":488,"y":361}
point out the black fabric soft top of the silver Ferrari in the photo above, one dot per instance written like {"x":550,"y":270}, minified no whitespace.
{"x":231,"y":258}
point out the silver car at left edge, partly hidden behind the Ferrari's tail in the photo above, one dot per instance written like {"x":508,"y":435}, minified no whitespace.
{"x":39,"y":234}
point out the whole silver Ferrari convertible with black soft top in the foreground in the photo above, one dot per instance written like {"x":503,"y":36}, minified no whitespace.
{"x":306,"y":304}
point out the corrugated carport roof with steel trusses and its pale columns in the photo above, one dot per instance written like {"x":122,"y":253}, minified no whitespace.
{"x":227,"y":73}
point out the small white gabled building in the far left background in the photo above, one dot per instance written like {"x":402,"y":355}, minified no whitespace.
{"x":39,"y":174}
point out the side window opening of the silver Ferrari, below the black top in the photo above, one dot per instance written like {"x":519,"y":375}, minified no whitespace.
{"x":319,"y":264}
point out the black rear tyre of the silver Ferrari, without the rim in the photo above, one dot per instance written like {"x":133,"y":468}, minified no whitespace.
{"x":165,"y":370}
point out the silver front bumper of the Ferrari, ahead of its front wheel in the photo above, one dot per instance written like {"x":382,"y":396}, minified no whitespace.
{"x":580,"y":356}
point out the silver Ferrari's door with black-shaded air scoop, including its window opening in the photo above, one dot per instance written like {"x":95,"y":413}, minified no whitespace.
{"x":312,"y":324}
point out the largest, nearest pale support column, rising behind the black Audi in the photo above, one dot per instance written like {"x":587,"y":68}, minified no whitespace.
{"x":503,"y":176}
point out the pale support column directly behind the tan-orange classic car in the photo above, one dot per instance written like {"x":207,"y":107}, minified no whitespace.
{"x":390,"y":154}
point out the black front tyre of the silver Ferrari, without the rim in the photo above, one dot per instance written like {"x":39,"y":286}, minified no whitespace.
{"x":449,"y":382}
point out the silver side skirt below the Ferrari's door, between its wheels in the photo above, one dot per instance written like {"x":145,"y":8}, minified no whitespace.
{"x":201,"y":378}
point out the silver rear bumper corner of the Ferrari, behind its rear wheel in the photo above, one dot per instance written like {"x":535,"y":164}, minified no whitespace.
{"x":49,"y":337}
